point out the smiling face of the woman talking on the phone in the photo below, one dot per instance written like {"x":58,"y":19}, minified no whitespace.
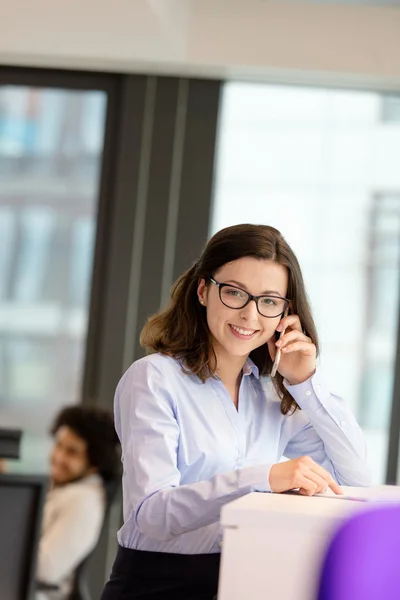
{"x":256,"y":276}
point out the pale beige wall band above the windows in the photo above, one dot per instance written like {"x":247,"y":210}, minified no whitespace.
{"x":256,"y":39}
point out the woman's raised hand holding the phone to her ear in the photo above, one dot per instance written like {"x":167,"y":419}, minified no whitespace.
{"x":298,"y":353}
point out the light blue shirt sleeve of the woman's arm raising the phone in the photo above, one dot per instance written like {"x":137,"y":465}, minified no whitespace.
{"x":331,"y":435}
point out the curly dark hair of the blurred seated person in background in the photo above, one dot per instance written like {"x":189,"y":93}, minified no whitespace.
{"x":95,"y":425}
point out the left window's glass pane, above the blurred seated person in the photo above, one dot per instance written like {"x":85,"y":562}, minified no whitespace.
{"x":51,"y":144}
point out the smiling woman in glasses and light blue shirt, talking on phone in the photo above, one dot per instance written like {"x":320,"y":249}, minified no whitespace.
{"x":201,"y":422}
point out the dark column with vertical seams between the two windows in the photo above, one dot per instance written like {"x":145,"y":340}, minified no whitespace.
{"x":156,"y":223}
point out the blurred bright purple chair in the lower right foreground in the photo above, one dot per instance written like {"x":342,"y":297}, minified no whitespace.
{"x":363,"y":559}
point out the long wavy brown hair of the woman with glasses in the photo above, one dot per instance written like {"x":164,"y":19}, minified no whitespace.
{"x":181,"y":330}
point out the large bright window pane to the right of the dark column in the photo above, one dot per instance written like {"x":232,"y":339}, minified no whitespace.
{"x":317,"y":165}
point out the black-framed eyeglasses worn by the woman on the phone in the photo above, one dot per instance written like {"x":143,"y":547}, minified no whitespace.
{"x":234,"y":297}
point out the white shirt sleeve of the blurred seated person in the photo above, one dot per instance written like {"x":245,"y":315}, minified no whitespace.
{"x":71,"y":536}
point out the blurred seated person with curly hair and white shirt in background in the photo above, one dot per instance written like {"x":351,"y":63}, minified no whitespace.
{"x":84,"y":463}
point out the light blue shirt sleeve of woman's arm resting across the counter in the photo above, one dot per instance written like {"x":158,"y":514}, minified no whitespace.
{"x":145,"y":415}
